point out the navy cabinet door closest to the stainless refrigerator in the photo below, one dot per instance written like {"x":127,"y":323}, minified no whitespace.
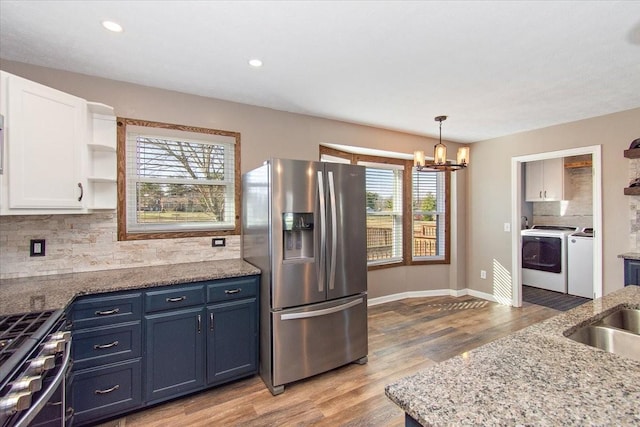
{"x":232,"y":339}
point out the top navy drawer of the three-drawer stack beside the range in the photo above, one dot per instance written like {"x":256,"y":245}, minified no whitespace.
{"x":89,"y":312}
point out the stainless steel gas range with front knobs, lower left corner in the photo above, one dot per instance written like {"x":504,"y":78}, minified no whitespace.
{"x":35,"y":365}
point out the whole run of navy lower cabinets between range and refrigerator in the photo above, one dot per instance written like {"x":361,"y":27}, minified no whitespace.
{"x":135,"y":349}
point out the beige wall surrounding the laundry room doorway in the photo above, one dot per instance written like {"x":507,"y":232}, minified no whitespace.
{"x":489,"y":193}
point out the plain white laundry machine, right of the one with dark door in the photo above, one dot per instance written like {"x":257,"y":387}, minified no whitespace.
{"x":580,"y":263}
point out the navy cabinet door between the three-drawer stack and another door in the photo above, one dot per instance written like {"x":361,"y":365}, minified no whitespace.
{"x":174,"y":353}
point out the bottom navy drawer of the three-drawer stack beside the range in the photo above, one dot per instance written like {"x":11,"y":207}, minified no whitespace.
{"x":103,"y":392}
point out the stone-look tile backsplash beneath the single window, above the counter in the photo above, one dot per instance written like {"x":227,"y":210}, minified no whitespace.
{"x":78,"y":243}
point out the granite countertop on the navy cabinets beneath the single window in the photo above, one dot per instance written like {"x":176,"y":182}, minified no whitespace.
{"x":56,"y":291}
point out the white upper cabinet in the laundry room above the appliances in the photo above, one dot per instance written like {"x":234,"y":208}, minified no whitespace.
{"x":546,"y":181}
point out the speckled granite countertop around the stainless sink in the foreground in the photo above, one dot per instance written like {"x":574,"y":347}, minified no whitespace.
{"x":535,"y":376}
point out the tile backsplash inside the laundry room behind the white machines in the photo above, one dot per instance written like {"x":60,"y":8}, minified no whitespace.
{"x":578,"y":211}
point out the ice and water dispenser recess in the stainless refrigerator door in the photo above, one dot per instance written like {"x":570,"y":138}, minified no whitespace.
{"x":297,"y":235}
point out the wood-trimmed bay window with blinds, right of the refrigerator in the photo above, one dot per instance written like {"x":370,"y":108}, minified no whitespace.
{"x":408,"y":212}
